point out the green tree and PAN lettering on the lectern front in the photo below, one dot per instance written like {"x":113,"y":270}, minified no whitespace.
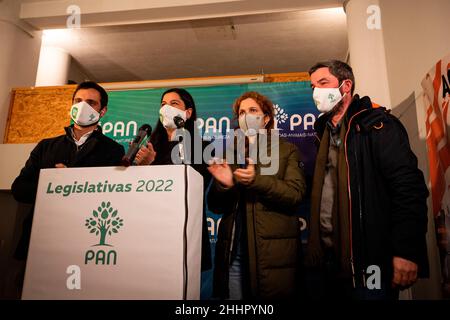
{"x":104,"y":222}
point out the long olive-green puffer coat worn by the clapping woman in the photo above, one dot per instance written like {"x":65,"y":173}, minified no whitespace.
{"x":273,"y":228}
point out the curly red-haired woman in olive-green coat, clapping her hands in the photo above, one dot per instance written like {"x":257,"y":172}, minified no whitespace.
{"x":258,"y":251}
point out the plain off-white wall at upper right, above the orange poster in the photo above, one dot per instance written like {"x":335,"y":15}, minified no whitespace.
{"x":415,"y":44}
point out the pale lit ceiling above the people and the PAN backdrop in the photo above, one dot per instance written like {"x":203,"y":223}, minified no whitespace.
{"x":252,"y":44}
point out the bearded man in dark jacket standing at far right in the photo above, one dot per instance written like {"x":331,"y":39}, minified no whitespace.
{"x":368,"y":204}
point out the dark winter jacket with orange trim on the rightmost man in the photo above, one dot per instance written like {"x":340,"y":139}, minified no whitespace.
{"x":388,"y":193}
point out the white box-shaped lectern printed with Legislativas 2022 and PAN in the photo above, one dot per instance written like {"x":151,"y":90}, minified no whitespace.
{"x":116,"y":233}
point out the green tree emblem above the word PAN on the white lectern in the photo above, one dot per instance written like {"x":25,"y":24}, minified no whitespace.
{"x":105,"y":221}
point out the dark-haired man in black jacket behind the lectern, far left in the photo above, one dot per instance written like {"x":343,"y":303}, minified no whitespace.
{"x":83,"y":145}
